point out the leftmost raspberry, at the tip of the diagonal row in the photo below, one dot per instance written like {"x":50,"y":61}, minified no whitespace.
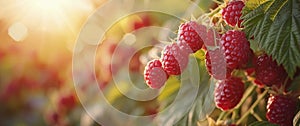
{"x":154,"y":74}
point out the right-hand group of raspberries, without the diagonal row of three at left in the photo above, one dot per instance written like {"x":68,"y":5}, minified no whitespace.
{"x":234,"y":53}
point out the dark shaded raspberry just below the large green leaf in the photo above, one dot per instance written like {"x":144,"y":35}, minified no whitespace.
{"x":268,"y":72}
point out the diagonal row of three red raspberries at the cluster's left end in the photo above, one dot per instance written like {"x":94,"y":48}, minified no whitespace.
{"x":174,"y":58}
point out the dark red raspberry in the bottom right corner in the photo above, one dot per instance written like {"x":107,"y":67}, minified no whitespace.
{"x":281,"y":109}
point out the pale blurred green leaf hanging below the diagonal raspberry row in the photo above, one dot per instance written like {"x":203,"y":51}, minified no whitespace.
{"x":194,"y":99}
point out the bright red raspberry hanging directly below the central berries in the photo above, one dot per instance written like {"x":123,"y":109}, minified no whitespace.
{"x":228,"y":93}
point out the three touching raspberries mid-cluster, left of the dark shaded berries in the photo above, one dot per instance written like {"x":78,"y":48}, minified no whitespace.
{"x":234,"y":53}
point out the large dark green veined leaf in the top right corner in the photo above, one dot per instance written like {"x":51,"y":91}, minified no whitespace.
{"x":275,"y":25}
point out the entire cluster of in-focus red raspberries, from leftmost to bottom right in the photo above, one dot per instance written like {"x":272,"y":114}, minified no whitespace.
{"x":225,"y":59}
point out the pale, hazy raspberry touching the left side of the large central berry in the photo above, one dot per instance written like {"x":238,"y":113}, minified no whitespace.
{"x":216,"y":64}
